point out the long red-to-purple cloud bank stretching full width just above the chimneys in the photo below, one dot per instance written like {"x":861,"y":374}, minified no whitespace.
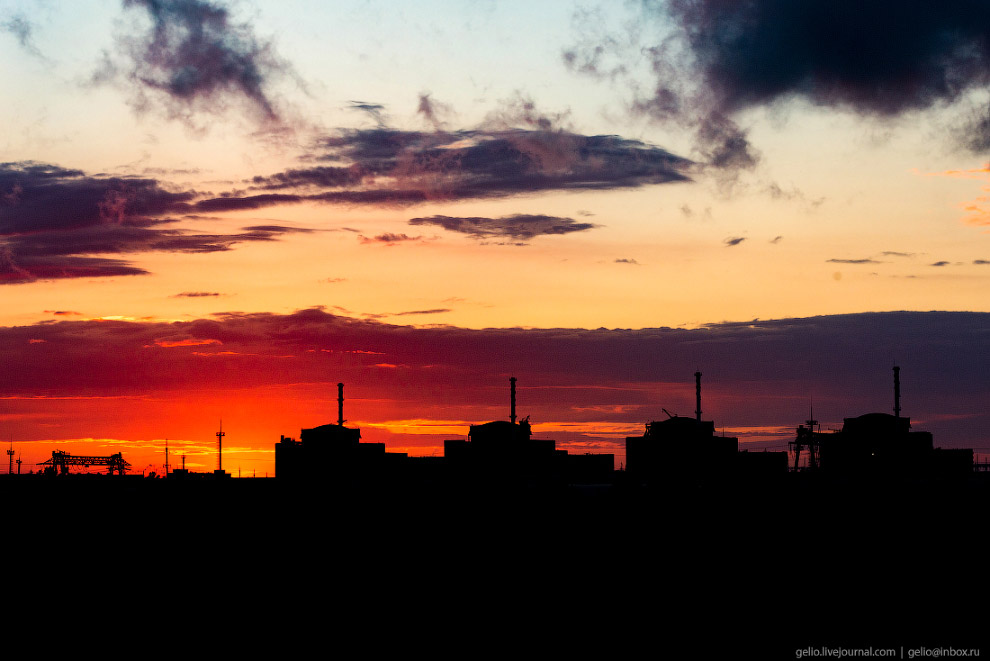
{"x":755,"y":372}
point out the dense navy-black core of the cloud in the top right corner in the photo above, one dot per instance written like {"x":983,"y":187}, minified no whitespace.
{"x":837,"y":53}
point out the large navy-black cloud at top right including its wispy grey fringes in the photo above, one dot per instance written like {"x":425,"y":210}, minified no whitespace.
{"x":712,"y":59}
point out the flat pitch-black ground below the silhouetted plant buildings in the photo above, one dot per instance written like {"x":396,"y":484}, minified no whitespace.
{"x":736,"y":570}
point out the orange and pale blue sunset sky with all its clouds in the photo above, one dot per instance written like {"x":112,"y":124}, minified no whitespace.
{"x":222,"y":209}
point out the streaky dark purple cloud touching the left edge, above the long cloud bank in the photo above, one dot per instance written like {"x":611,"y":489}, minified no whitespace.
{"x":53,"y":220}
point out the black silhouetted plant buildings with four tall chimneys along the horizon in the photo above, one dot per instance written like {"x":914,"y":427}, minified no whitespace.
{"x":676,"y":451}
